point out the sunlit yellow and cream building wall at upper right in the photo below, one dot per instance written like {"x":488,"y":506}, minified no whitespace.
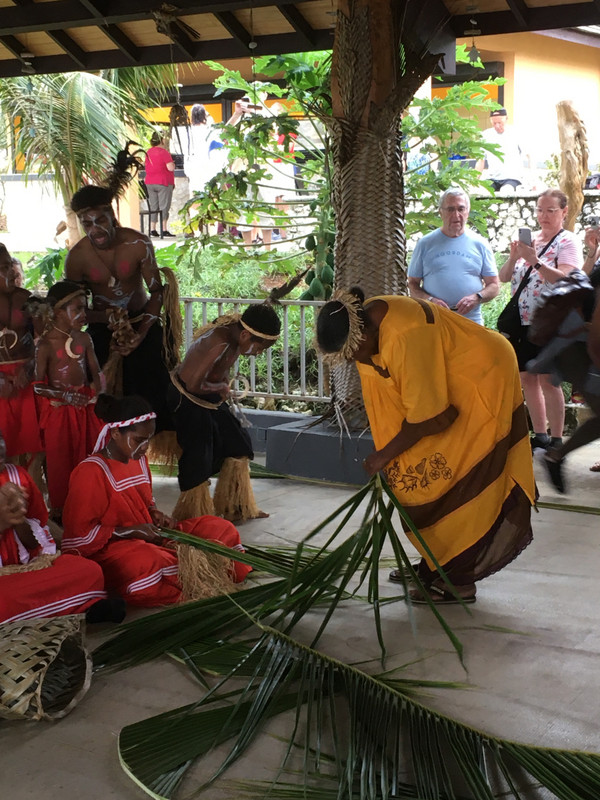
{"x":541,"y":71}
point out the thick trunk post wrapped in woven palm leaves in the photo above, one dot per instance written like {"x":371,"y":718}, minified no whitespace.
{"x":371,"y":86}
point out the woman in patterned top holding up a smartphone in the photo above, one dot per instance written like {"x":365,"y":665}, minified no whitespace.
{"x":553,"y":253}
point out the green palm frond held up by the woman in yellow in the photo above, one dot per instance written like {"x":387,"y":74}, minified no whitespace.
{"x":323,"y":577}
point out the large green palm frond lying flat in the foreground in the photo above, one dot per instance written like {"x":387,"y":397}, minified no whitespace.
{"x":370,"y":738}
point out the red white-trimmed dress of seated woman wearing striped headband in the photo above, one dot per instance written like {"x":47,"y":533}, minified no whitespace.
{"x":105,"y":494}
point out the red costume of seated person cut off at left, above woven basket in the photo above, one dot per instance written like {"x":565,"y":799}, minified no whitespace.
{"x":69,"y":586}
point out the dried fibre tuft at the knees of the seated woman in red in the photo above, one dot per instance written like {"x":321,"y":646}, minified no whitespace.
{"x":203,"y":574}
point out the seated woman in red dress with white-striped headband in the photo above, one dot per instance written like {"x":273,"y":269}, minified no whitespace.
{"x":110,"y":515}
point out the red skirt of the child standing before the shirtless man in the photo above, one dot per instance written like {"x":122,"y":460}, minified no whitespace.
{"x":69,"y":434}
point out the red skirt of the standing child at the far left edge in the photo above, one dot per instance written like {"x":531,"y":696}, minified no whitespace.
{"x":19,"y":417}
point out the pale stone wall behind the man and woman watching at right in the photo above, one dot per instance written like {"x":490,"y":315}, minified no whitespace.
{"x":518,"y":211}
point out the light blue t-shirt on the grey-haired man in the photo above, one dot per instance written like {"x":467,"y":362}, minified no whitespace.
{"x":452,"y":267}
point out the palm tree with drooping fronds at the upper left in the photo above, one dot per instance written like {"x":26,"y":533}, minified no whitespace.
{"x":72,"y":125}
